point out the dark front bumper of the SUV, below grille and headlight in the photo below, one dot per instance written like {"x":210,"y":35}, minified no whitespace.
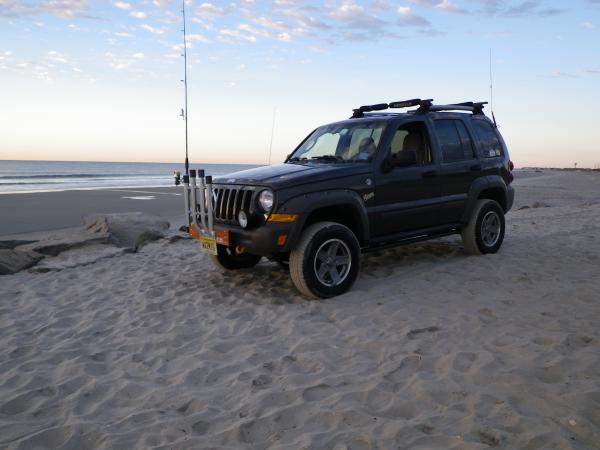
{"x":264,"y":240}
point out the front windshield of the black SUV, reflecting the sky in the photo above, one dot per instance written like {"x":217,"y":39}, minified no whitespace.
{"x":348,"y":142}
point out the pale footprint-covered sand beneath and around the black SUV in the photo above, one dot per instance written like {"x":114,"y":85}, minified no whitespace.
{"x":432,"y":349}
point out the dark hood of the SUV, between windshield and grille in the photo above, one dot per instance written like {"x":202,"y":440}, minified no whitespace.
{"x":283,"y":175}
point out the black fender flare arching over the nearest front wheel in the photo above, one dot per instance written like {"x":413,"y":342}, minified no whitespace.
{"x":305,"y":204}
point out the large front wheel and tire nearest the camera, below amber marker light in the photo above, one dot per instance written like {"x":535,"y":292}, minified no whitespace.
{"x":326,"y":261}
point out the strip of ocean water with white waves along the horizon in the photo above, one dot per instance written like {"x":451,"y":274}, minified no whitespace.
{"x":30,"y":176}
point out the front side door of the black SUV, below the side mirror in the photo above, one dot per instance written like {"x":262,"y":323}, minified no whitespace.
{"x":407,"y":196}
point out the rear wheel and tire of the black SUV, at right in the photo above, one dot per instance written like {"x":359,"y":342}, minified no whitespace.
{"x":485,"y":231}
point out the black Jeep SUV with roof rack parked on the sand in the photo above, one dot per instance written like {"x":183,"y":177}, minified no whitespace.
{"x":375,"y":180}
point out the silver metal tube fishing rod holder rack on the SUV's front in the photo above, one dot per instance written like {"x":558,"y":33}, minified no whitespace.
{"x":197,"y":197}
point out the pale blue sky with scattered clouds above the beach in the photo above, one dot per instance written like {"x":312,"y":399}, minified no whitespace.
{"x":101,"y":80}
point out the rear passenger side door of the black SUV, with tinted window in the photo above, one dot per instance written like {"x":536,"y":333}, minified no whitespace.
{"x":459,"y":167}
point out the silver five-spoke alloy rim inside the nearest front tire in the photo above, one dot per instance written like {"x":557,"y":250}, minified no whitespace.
{"x":332,"y":262}
